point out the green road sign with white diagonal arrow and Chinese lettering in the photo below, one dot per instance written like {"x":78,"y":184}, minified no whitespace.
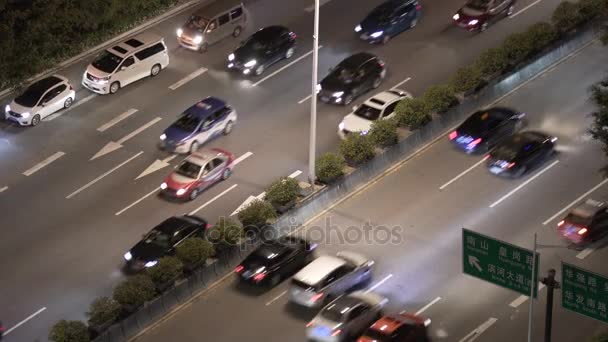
{"x":498,"y":262}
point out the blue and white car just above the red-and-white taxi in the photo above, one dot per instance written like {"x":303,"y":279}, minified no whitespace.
{"x":198,"y":124}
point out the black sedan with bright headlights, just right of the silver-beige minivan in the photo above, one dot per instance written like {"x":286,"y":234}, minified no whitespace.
{"x":262,"y":49}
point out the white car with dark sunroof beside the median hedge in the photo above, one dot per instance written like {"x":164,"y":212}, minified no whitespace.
{"x":378,"y":107}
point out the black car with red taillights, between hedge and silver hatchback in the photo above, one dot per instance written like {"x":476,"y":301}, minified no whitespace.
{"x":275,"y":260}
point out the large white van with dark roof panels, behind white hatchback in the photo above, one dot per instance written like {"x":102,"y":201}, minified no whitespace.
{"x":135,"y":58}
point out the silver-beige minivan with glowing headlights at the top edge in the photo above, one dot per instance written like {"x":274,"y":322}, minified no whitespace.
{"x":212,"y":24}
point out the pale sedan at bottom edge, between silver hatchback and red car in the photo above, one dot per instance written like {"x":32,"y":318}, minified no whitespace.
{"x":346,"y":317}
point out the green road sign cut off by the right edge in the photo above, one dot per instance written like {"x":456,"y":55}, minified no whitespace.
{"x":584,"y":292}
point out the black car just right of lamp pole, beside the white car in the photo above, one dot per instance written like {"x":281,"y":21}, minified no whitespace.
{"x":354,"y":76}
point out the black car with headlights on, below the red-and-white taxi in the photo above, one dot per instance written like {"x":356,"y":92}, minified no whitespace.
{"x":163,"y":239}
